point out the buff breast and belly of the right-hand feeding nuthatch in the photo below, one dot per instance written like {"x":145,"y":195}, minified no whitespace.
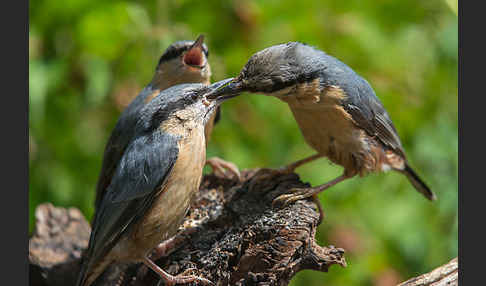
{"x":326,"y":126}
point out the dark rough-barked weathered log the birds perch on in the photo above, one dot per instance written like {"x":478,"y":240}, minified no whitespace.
{"x":232,"y":236}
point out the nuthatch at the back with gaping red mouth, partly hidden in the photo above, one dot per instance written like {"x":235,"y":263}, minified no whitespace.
{"x":182,"y":62}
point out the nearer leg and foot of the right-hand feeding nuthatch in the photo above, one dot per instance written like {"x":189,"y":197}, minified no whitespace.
{"x":302,"y":193}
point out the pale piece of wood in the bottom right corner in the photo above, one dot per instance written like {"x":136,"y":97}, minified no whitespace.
{"x":445,"y":275}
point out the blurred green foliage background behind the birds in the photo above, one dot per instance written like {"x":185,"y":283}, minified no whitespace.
{"x":88,"y":59}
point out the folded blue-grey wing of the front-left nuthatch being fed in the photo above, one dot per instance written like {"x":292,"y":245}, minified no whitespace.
{"x":141,"y":174}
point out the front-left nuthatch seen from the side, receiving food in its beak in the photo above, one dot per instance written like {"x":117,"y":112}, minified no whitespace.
{"x":154,"y":182}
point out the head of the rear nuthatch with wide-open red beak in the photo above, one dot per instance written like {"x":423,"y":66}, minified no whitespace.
{"x":182,"y":62}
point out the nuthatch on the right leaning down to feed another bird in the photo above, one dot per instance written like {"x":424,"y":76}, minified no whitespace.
{"x":337,"y":111}
